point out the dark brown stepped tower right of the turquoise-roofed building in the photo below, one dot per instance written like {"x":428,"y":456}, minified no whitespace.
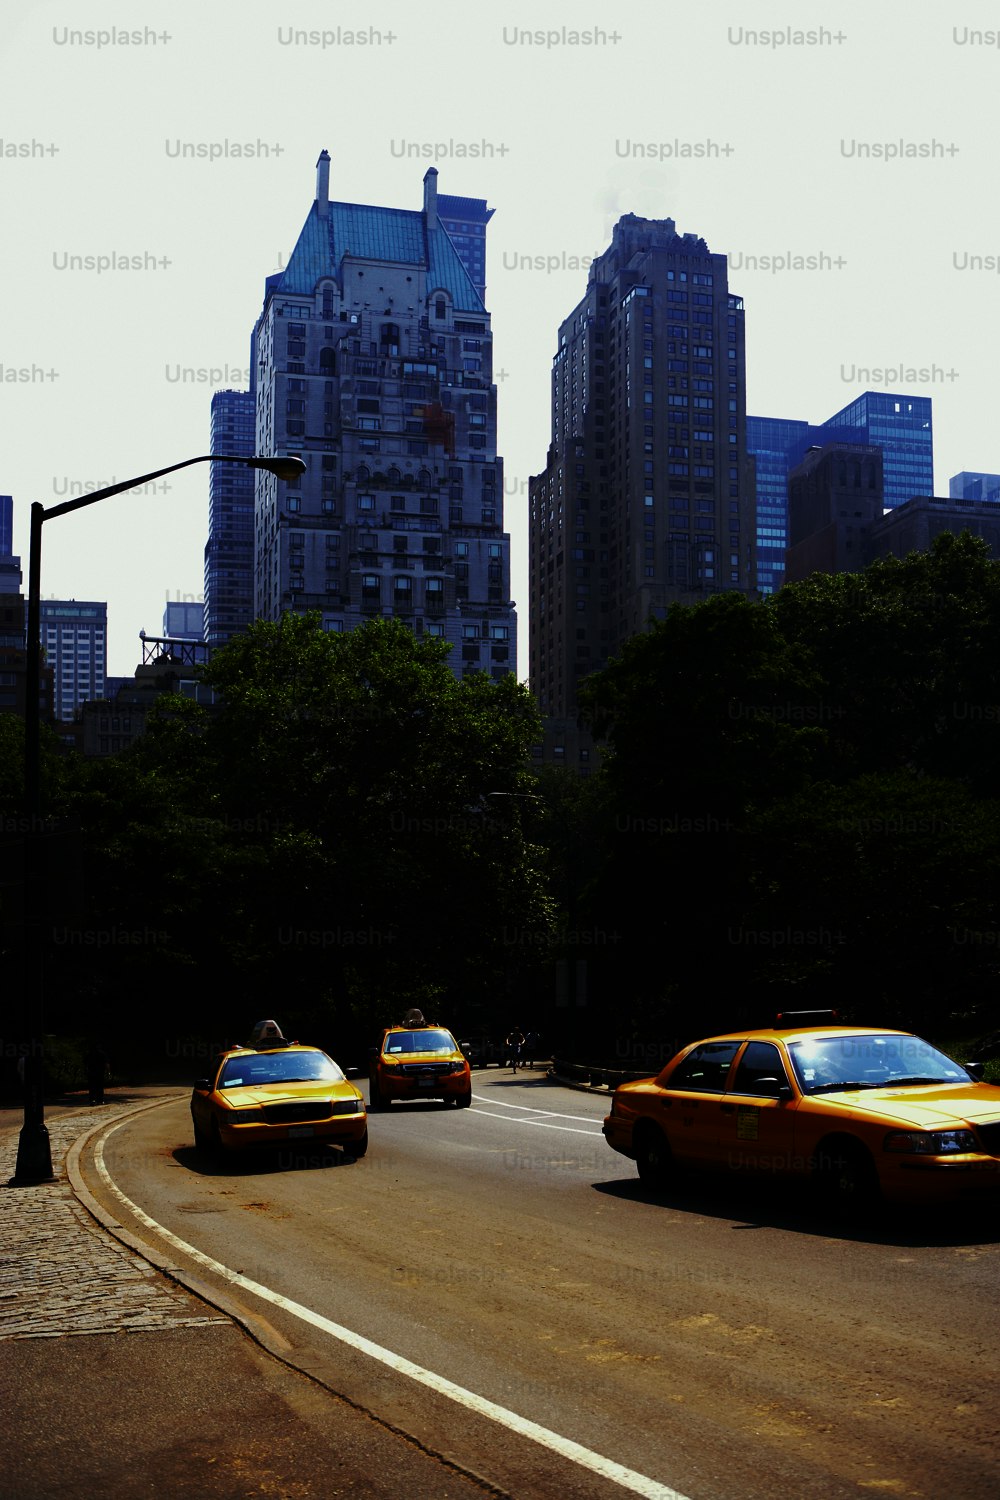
{"x":648,"y":496}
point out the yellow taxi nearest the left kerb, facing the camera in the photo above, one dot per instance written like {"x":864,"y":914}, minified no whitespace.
{"x":275,"y":1091}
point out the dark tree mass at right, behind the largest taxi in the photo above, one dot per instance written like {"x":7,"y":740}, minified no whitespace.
{"x":803,"y":799}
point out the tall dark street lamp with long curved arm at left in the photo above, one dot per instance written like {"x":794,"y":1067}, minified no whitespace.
{"x":35,"y":1160}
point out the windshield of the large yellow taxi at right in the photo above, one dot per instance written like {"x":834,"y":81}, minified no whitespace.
{"x":827,"y":1064}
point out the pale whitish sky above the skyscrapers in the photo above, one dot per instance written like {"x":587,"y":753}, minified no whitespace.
{"x":158,"y":163}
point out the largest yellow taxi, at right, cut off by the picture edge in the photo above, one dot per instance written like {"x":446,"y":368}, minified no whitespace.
{"x":857,"y":1112}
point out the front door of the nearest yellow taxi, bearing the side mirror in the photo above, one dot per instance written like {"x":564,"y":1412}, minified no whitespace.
{"x":756,"y":1123}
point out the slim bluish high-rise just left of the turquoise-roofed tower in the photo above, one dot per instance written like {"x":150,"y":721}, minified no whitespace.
{"x":230,"y":548}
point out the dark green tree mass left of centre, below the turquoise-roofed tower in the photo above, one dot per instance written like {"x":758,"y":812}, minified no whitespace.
{"x":323,"y":847}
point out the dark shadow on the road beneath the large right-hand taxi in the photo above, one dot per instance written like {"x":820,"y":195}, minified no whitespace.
{"x":765,"y":1205}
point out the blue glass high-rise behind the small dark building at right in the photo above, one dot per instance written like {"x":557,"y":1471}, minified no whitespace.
{"x":899,"y":425}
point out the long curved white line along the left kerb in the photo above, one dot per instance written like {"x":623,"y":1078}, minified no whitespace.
{"x":564,"y":1447}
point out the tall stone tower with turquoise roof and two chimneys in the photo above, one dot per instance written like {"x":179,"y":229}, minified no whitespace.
{"x":374,"y":364}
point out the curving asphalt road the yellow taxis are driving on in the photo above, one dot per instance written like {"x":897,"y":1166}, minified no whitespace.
{"x":716,"y":1342}
